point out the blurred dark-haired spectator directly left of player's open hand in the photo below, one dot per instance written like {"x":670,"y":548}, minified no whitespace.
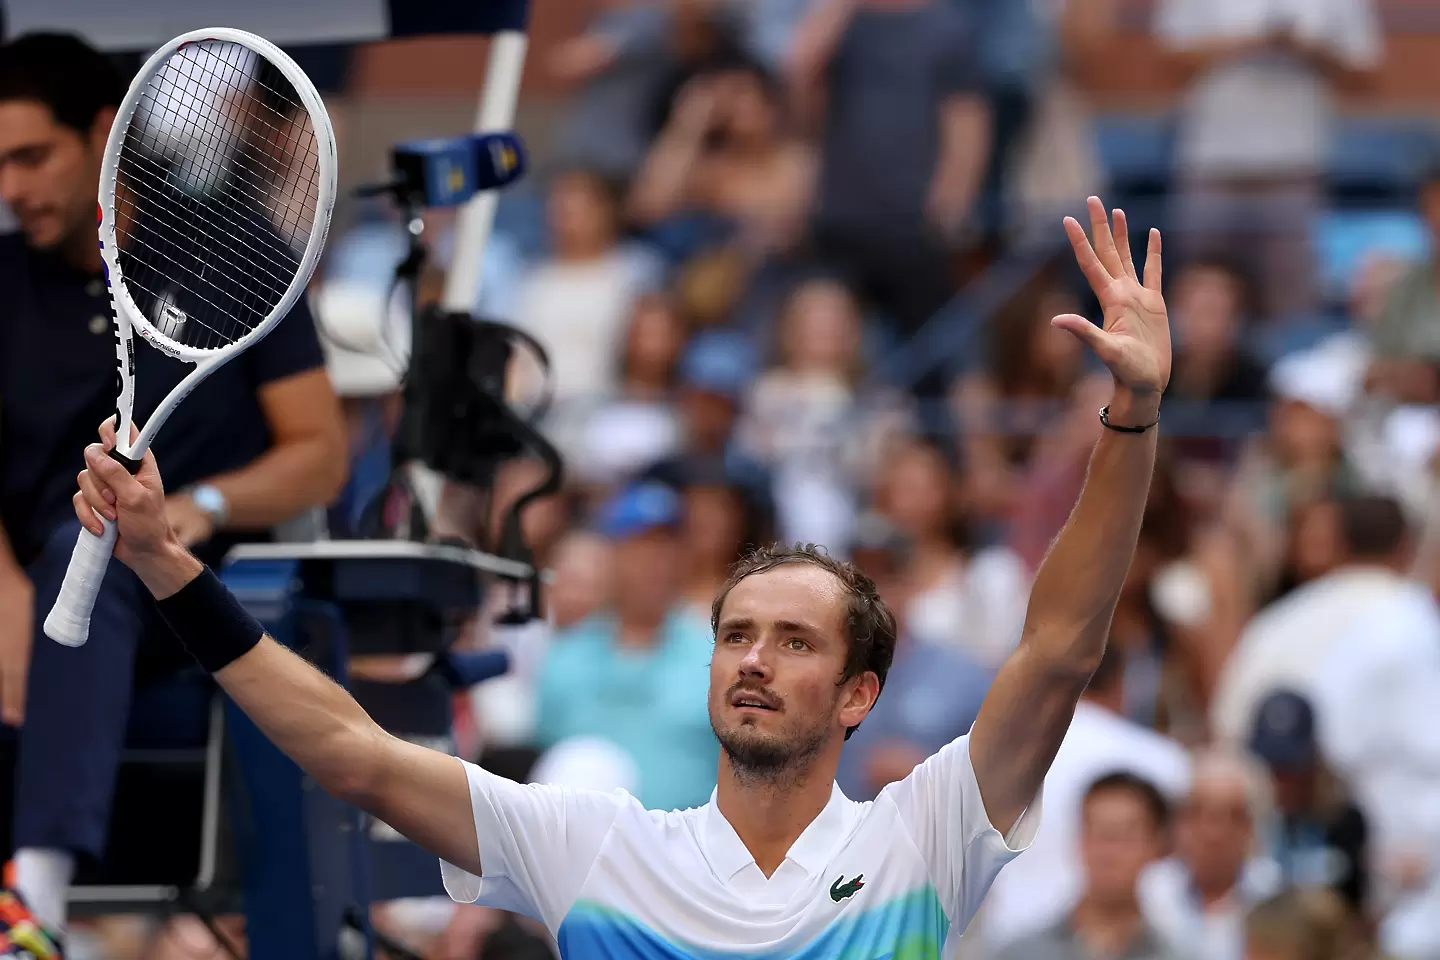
{"x":1025,"y":386}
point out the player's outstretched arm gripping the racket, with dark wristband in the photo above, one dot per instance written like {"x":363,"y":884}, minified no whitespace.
{"x":423,"y":794}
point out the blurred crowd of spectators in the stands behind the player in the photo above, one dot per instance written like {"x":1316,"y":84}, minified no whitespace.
{"x":794,"y":264}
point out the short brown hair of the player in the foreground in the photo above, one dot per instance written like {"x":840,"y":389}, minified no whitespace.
{"x":870,"y":625}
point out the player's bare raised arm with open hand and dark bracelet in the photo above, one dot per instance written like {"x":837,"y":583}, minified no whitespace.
{"x":1033,"y":699}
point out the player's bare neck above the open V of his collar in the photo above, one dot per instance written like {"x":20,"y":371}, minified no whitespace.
{"x":770,"y":817}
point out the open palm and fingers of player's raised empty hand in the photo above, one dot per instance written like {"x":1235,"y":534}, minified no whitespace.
{"x":1135,"y":342}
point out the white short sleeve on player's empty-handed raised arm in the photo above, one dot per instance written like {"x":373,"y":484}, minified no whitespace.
{"x":942,"y":810}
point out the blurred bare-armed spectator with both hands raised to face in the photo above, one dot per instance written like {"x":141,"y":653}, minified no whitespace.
{"x":726,"y":155}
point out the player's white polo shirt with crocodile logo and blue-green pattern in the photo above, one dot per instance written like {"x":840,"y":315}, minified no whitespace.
{"x":896,"y":877}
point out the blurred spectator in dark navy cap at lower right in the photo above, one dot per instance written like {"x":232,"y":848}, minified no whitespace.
{"x":1320,"y":837}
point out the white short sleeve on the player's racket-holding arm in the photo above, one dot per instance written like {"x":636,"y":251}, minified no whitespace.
{"x":538,"y":844}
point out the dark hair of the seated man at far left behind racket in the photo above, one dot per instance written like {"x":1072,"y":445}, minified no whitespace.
{"x":64,"y":73}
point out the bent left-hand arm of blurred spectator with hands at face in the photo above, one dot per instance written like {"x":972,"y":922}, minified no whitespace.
{"x":669,"y":179}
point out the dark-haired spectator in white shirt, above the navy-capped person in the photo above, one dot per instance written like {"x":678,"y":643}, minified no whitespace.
{"x":1288,"y":643}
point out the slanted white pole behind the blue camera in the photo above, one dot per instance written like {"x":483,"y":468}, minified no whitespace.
{"x":496,"y":114}
